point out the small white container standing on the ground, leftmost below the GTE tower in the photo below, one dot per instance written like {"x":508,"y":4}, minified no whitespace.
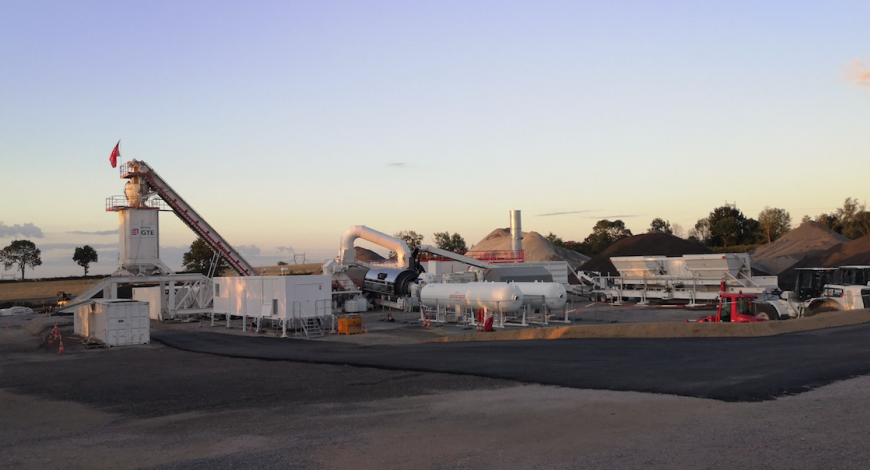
{"x":114,"y":322}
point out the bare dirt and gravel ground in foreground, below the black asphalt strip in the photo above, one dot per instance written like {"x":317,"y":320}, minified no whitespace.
{"x":157,"y":407}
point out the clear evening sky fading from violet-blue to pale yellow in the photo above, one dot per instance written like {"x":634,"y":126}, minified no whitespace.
{"x":283,"y":123}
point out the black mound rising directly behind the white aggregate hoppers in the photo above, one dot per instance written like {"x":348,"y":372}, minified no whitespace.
{"x":647,"y":244}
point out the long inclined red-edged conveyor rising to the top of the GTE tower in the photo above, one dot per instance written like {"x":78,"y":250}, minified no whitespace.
{"x":189,"y":216}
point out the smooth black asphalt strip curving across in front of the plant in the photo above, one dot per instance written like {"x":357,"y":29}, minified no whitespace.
{"x":727,"y":369}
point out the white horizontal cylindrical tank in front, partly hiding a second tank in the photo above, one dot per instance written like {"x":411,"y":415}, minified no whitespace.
{"x":492,"y":296}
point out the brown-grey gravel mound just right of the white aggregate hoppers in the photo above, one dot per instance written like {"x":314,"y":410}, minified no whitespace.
{"x":806,"y":240}
